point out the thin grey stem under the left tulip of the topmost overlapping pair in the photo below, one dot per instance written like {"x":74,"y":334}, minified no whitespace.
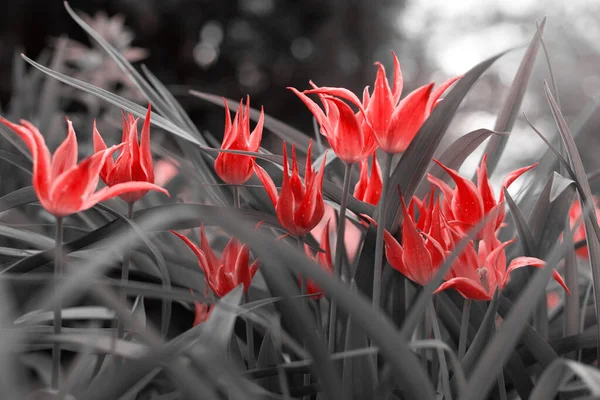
{"x":339,"y":248}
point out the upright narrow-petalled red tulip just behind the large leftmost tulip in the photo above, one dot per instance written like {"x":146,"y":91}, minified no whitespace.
{"x":134,"y":163}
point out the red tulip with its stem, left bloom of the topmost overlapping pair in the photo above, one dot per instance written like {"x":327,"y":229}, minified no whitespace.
{"x":352,"y":141}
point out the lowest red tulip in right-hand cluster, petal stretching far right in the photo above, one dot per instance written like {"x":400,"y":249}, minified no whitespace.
{"x":477,"y":274}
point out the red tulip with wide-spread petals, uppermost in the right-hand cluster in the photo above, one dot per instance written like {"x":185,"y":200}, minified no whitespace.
{"x":468,"y":203}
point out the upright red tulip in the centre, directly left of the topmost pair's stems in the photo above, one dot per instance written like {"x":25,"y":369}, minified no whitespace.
{"x":299,"y":206}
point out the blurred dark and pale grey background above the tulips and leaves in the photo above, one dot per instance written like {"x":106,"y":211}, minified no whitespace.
{"x":259,"y":47}
